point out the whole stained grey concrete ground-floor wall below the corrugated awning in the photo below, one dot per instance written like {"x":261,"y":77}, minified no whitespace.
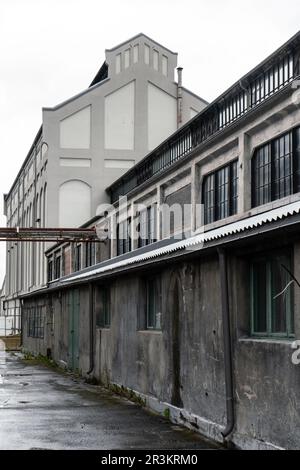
{"x":182,"y":366}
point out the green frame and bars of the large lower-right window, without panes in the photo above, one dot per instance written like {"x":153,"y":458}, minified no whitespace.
{"x":290,"y":314}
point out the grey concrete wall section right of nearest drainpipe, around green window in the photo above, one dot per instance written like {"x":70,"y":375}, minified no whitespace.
{"x":267,"y":384}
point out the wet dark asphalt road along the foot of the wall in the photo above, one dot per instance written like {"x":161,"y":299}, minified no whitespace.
{"x":41,"y":408}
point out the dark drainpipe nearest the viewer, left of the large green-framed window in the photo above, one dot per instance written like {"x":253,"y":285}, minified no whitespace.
{"x":227,"y":344}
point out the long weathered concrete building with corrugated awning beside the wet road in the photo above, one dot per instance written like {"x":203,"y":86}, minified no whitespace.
{"x":196,"y":314}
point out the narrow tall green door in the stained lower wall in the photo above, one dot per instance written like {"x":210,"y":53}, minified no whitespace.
{"x":74,"y":309}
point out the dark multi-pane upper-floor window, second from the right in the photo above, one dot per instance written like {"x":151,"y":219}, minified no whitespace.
{"x":220,"y":193}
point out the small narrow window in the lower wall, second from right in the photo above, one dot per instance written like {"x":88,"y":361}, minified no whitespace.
{"x":153,"y":311}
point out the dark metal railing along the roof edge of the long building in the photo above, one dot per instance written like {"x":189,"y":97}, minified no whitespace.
{"x":239,"y":100}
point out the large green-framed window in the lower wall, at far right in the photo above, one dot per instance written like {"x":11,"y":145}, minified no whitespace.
{"x":272,"y":296}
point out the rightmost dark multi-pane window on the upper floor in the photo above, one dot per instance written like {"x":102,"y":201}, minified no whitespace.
{"x":275,"y":169}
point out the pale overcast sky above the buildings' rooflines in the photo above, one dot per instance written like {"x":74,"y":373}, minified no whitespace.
{"x":51,"y":50}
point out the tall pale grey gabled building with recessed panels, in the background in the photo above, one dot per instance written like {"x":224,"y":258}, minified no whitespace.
{"x":86,"y":143}
